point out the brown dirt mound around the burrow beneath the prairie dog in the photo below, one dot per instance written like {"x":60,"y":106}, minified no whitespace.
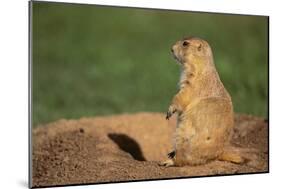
{"x":129,"y":147}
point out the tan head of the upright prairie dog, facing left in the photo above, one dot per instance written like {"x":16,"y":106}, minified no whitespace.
{"x":191,"y":50}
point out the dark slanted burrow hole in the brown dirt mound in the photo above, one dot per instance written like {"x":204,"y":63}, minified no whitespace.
{"x":128,"y":145}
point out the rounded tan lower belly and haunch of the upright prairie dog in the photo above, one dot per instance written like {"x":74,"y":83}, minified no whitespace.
{"x":203,"y":130}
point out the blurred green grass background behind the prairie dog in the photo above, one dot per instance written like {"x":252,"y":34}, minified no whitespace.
{"x":93,"y":60}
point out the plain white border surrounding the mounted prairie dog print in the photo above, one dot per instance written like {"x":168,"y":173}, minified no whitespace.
{"x":14,"y":92}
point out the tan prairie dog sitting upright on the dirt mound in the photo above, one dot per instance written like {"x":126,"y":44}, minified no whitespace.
{"x":204,"y":107}
